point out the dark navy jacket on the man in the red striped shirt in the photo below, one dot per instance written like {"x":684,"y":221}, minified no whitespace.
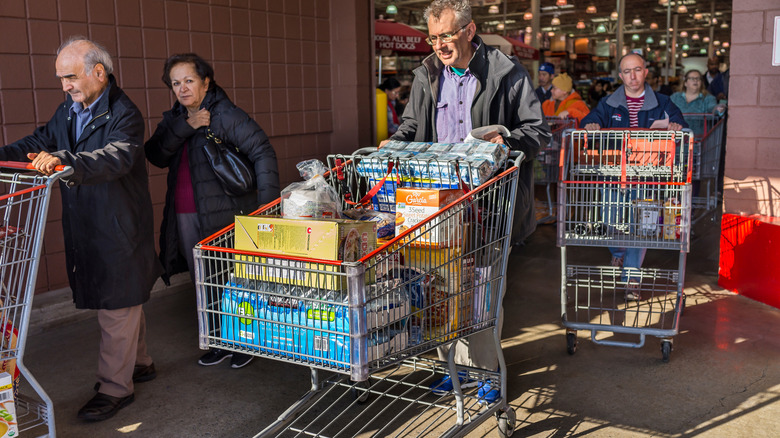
{"x":612,"y":111}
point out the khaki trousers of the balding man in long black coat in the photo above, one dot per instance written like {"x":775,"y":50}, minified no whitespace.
{"x":122,"y":347}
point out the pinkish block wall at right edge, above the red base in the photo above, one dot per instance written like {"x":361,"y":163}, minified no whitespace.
{"x":752,"y":167}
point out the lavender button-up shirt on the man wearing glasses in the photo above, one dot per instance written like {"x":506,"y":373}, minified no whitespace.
{"x":453,"y":108}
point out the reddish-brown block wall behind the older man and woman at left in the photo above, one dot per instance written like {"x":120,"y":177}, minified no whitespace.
{"x":301,"y":68}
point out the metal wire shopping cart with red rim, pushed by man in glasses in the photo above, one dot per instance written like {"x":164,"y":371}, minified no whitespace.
{"x":368,"y":321}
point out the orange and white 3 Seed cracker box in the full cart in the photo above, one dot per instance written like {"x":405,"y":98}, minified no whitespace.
{"x":415,"y":205}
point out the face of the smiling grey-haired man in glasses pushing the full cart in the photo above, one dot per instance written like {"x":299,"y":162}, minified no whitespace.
{"x":456,"y":53}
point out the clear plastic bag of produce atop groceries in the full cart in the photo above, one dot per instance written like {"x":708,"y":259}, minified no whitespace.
{"x":312,"y":198}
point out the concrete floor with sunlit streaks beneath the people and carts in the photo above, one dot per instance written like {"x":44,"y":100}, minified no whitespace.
{"x":723,"y":378}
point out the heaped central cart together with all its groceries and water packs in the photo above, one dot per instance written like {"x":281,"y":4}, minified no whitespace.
{"x":362,"y":271}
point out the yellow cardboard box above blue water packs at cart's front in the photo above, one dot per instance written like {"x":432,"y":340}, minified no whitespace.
{"x":325,"y":239}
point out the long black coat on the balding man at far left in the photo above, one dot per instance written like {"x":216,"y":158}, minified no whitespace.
{"x":106,"y":209}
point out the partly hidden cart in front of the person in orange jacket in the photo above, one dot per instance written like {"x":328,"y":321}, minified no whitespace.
{"x":546,"y":164}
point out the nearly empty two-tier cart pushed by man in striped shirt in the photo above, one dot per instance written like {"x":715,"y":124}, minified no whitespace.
{"x":623,"y":189}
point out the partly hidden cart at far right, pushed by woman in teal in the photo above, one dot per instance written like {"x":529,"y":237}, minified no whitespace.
{"x":707,"y":144}
